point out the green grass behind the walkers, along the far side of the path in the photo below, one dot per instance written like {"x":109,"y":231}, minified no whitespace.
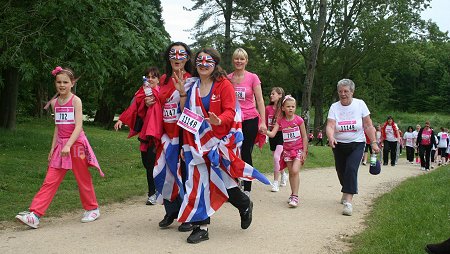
{"x":23,"y":166}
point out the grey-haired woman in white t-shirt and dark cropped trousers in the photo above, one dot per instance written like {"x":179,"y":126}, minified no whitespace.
{"x":348,"y":119}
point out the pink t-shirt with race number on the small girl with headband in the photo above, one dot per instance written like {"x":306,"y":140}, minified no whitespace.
{"x":292,"y":137}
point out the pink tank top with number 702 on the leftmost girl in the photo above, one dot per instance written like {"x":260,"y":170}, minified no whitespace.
{"x":65,"y":118}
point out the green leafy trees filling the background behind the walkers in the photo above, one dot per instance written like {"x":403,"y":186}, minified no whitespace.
{"x":397,"y":60}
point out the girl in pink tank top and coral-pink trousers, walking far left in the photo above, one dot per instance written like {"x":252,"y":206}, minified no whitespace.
{"x":70,"y":150}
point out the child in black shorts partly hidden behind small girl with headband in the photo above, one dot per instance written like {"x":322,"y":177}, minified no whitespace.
{"x":273,"y":112}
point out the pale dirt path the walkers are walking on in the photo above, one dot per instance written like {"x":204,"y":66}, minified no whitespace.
{"x":316,"y":226}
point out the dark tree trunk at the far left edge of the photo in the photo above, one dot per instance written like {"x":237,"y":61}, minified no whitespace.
{"x":8,"y":96}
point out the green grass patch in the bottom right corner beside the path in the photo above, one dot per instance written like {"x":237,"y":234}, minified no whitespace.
{"x":415,"y":213}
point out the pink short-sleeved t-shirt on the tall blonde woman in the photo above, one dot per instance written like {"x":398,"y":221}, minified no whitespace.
{"x":245,"y":94}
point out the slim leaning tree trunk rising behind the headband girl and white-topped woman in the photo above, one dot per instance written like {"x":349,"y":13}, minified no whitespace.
{"x":311,"y":63}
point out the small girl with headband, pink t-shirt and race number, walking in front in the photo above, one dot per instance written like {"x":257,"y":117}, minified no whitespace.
{"x":295,"y":144}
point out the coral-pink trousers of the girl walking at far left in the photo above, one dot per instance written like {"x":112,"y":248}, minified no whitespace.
{"x":54,"y":178}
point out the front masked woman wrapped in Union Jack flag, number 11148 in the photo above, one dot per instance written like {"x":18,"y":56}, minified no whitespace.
{"x":211,"y":136}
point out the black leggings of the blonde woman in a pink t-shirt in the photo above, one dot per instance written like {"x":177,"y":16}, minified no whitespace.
{"x":249,"y":130}
